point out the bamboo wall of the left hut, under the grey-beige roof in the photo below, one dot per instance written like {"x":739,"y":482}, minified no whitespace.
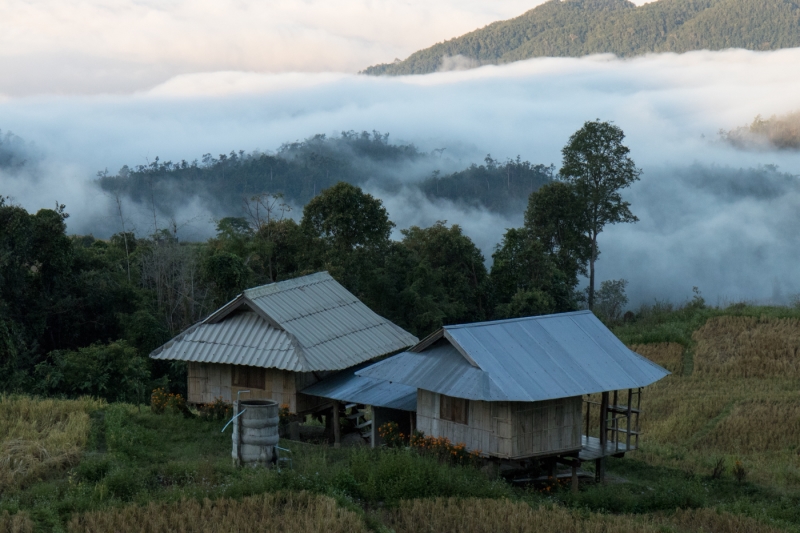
{"x":209,"y":381}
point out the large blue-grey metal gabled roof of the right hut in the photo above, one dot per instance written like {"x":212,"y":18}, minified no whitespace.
{"x":524,"y":359}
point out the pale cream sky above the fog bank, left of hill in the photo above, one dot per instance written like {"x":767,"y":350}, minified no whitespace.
{"x":122,"y":46}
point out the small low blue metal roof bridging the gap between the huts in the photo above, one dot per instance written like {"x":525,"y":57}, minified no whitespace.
{"x":345,"y":386}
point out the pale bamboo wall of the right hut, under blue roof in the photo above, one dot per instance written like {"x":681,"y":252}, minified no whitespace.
{"x":507,"y":429}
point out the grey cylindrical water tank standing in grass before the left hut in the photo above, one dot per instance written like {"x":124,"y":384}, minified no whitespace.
{"x":255,"y":432}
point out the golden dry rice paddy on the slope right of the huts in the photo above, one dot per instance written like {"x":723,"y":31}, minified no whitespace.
{"x":741,"y":402}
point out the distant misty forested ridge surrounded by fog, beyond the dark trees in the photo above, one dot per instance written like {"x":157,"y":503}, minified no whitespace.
{"x":300,"y":170}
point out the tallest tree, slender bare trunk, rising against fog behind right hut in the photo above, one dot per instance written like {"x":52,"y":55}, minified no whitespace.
{"x":597,"y":164}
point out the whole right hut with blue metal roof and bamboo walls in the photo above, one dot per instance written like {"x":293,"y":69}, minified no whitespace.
{"x":516,"y":389}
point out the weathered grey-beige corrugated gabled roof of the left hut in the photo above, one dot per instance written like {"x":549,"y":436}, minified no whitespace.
{"x":304,"y":324}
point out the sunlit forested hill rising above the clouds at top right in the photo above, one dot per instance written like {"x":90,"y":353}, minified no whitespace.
{"x":574,"y":28}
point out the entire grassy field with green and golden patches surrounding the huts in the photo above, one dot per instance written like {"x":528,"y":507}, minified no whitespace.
{"x":732,"y":405}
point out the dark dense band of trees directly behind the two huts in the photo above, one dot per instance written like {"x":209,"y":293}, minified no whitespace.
{"x":73,"y":303}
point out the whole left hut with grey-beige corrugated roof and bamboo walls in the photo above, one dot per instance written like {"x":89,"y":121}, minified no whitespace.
{"x":277,"y":339}
